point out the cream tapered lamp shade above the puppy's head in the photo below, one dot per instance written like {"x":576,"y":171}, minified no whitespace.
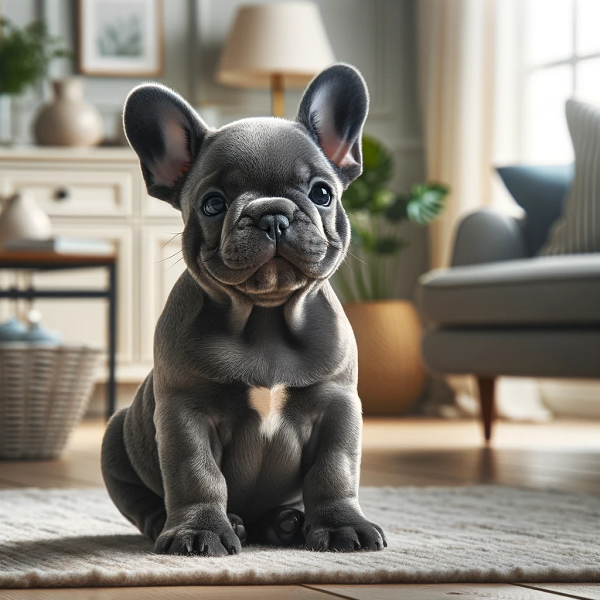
{"x":286,"y":39}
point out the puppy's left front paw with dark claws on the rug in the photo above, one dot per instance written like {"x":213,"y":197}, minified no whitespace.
{"x":187,"y":540}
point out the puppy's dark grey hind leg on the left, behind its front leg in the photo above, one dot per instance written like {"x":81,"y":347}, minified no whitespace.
{"x":139,"y":504}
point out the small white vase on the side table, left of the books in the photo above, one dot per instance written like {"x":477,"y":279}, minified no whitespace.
{"x":23,"y":218}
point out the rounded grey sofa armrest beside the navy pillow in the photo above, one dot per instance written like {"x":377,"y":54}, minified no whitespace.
{"x":488,"y":236}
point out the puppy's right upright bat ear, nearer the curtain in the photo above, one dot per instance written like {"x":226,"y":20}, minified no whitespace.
{"x":333,"y":110}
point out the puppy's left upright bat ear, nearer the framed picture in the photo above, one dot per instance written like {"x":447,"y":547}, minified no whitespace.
{"x":166,"y":134}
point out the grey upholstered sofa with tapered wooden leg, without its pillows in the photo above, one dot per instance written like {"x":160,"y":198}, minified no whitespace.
{"x":498,"y":311}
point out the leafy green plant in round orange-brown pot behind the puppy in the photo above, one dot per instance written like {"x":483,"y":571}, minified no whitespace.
{"x":387,"y":330}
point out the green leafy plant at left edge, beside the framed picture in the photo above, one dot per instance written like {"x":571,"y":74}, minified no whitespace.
{"x":24,"y":58}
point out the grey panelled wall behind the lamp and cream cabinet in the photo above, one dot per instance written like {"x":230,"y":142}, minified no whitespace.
{"x":377,"y":36}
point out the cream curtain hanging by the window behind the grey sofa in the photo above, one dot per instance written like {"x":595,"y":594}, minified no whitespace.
{"x":470,"y":56}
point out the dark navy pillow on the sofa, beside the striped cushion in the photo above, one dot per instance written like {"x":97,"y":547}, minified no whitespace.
{"x":539,"y":190}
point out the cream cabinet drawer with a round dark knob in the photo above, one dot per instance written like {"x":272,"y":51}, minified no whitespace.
{"x":74,"y":193}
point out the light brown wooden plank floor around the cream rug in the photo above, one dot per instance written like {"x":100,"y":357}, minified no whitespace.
{"x":560,"y":455}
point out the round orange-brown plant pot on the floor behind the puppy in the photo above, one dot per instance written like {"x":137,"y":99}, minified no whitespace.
{"x":390,"y":373}
